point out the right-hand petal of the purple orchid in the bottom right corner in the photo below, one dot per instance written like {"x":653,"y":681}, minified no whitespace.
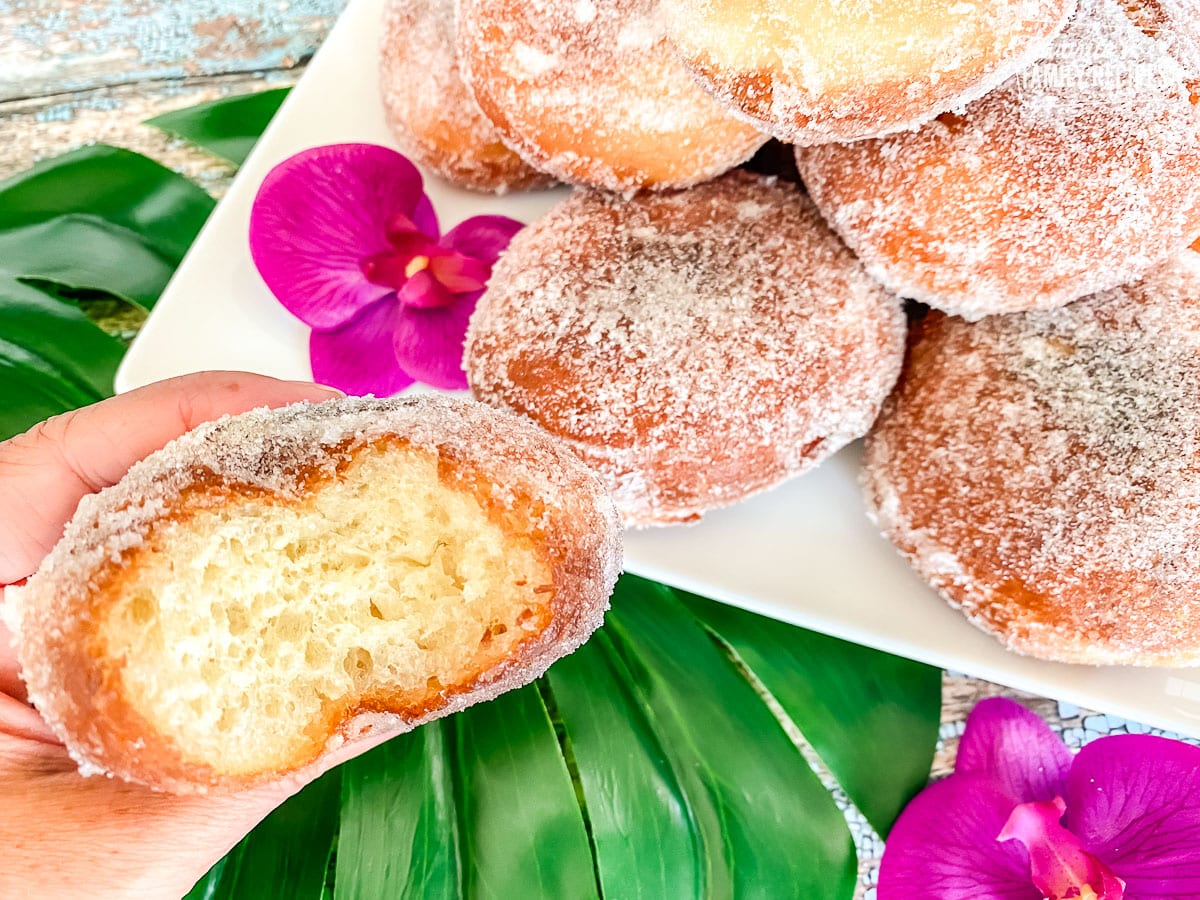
{"x":1135,"y":801}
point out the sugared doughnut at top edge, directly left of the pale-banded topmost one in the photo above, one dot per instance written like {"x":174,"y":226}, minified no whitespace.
{"x":593,"y":94}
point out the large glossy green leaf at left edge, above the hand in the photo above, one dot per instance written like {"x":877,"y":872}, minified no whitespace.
{"x":100,"y":221}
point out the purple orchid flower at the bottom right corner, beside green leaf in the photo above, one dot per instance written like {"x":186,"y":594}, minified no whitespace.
{"x":1022,"y":820}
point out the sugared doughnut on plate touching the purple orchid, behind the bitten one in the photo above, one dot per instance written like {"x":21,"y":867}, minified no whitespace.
{"x":693,"y":347}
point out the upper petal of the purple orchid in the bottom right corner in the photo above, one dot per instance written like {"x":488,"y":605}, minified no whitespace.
{"x":1012,"y":746}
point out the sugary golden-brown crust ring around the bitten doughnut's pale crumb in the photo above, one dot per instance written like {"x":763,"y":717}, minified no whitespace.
{"x":543,"y":497}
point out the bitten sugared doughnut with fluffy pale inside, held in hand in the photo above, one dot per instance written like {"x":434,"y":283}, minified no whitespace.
{"x":272,"y":589}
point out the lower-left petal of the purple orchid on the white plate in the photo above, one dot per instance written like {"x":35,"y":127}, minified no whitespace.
{"x":359,"y":358}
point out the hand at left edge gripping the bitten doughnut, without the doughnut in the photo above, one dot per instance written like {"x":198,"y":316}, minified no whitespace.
{"x":67,"y":835}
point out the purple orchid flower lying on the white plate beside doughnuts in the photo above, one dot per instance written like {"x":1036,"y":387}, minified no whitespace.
{"x":346,"y":239}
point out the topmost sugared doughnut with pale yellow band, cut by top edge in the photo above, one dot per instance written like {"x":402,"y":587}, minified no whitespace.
{"x":819,"y":71}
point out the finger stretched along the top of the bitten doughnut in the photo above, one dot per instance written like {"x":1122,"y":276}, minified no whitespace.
{"x":49,"y":470}
